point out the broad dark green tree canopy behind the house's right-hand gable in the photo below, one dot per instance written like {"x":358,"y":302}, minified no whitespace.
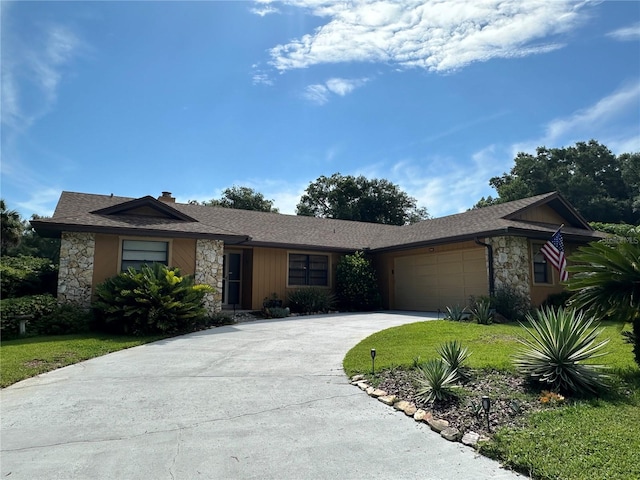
{"x":603,"y":187}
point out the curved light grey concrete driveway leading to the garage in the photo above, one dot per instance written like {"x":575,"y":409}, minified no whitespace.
{"x":262,"y":400}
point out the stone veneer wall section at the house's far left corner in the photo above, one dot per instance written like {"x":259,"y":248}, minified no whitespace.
{"x":76,"y":268}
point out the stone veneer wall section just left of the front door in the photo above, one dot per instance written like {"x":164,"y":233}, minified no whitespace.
{"x":209,"y":261}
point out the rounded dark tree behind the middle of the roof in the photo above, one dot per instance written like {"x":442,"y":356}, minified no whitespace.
{"x":359,"y":199}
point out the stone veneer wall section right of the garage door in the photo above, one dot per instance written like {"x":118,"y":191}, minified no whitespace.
{"x":511,"y":264}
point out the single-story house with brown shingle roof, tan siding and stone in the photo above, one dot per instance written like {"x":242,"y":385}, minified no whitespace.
{"x":247,"y":255}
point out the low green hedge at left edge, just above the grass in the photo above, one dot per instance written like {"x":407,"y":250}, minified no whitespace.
{"x":36,"y":306}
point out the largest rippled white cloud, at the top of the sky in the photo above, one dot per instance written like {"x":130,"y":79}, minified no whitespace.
{"x":437,"y":35}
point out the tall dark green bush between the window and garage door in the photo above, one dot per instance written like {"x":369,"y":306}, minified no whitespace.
{"x":356,"y":284}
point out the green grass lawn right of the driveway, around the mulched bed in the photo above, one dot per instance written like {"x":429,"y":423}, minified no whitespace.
{"x":584,"y":439}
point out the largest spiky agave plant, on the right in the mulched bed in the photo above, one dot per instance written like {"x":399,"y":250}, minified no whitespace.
{"x":556,"y":349}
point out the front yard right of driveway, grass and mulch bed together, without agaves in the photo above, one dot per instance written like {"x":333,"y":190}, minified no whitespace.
{"x":577,"y":438}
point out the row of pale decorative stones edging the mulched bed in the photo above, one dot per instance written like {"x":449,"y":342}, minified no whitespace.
{"x":438,"y":425}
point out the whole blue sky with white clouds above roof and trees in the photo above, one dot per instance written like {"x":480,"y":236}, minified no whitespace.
{"x":135,"y":98}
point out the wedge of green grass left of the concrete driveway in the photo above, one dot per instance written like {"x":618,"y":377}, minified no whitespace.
{"x":26,"y":357}
